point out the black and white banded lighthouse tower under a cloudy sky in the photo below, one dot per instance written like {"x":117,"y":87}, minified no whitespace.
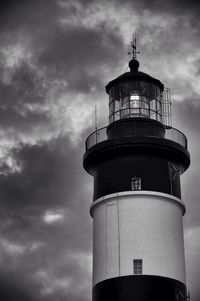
{"x":136,"y":162}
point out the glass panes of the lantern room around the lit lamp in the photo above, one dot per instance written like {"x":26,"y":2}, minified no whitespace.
{"x":135,"y":99}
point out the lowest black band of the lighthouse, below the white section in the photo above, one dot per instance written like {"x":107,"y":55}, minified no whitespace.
{"x":139,"y":288}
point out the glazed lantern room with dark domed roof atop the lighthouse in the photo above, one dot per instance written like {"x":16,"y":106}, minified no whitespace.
{"x":136,"y":94}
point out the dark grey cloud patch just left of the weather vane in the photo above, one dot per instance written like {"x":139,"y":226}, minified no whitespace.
{"x":80,"y":54}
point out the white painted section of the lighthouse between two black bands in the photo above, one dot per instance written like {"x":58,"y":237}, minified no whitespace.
{"x":138,"y":225}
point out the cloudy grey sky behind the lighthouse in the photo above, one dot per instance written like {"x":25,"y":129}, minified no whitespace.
{"x":56,"y":57}
